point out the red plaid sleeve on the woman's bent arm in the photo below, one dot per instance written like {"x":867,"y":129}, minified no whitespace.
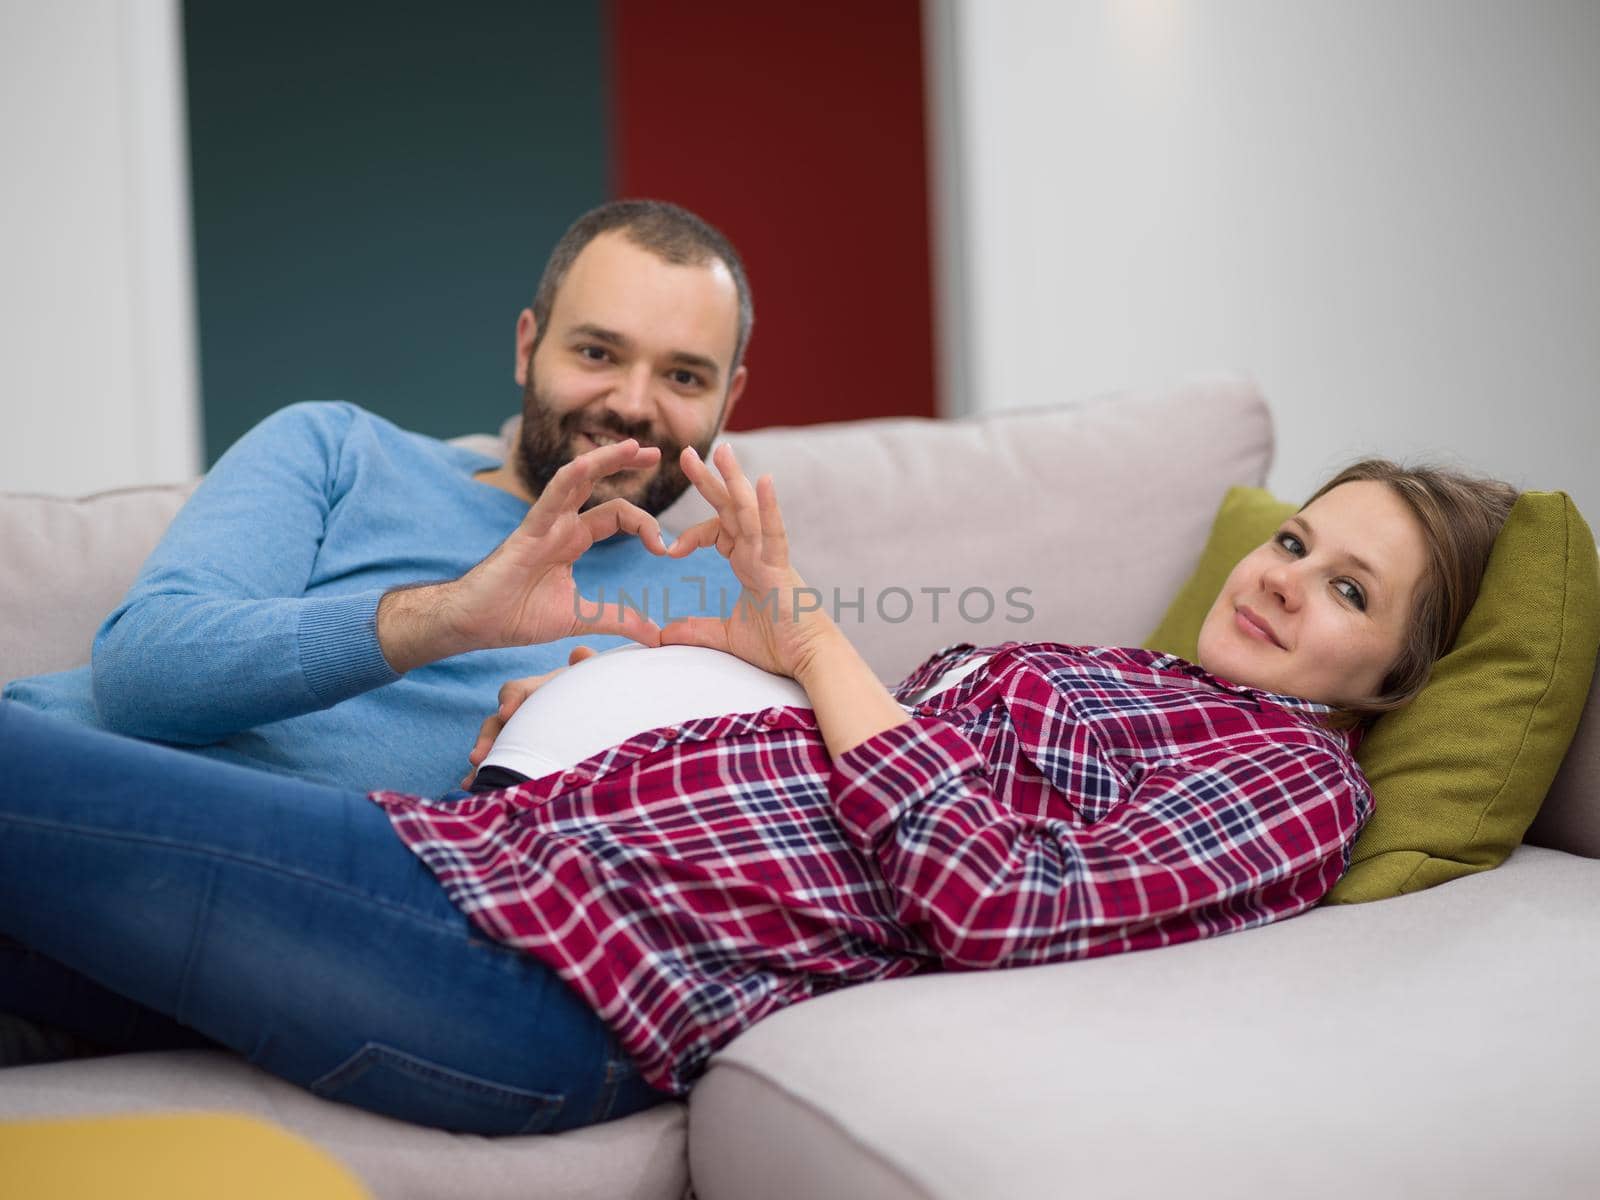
{"x":1236,"y":841}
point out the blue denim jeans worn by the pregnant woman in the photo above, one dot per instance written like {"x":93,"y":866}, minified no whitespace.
{"x":170,"y":900}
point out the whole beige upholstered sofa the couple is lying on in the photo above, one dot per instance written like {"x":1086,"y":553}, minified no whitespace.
{"x":1441,"y":1044}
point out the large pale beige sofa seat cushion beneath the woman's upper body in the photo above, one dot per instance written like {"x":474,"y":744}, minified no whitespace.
{"x":1428,"y":1046}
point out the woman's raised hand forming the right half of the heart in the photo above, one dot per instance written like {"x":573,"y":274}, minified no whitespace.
{"x":769,"y":628}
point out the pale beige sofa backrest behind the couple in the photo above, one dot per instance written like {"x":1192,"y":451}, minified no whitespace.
{"x":1100,"y":510}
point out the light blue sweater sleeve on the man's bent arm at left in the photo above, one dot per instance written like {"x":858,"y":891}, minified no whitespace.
{"x":217,"y":634}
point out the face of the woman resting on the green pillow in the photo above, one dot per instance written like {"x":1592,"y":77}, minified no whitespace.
{"x":1321,"y":610}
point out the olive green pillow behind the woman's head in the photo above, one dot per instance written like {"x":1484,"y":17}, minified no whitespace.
{"x":1460,"y":774}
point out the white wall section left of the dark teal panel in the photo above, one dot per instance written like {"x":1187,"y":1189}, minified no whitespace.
{"x":97,"y":319}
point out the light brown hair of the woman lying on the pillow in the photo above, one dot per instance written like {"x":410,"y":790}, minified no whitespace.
{"x":1460,"y":518}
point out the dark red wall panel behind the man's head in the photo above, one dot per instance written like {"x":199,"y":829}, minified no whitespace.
{"x":799,"y":132}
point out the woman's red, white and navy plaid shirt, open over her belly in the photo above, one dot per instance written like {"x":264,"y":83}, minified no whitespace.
{"x":1062,"y":802}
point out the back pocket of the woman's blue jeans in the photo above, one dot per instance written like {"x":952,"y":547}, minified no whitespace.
{"x":388,"y":1081}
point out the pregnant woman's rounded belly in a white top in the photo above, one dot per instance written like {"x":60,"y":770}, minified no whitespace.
{"x":612,"y":697}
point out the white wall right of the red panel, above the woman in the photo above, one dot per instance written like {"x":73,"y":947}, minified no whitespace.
{"x":1390,"y":214}
